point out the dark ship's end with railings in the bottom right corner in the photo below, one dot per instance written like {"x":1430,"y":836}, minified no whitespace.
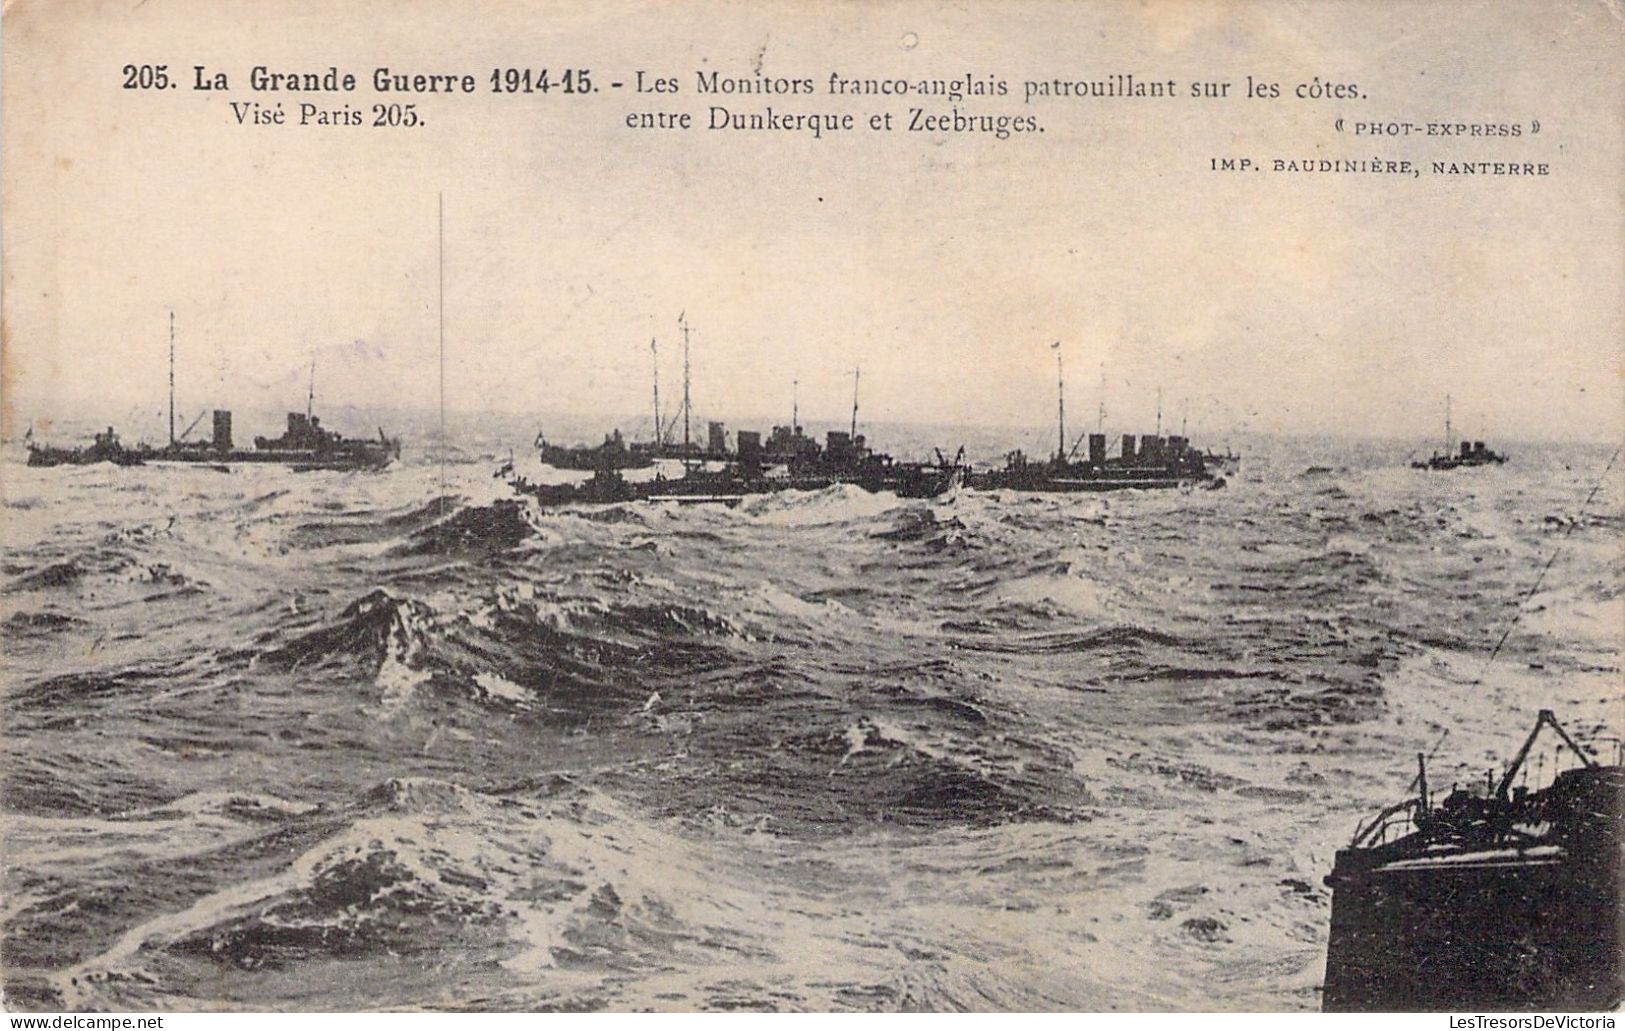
{"x":1497,"y":900}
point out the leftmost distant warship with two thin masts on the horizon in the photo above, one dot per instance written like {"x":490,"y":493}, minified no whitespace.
{"x":305,"y":445}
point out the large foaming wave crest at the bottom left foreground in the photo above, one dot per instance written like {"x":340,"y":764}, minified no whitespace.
{"x":422,"y":868}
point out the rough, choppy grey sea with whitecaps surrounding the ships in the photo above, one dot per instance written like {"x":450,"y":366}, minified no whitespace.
{"x":378,"y":741}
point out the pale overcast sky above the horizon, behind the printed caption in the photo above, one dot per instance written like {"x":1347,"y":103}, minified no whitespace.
{"x":943,"y":266}
